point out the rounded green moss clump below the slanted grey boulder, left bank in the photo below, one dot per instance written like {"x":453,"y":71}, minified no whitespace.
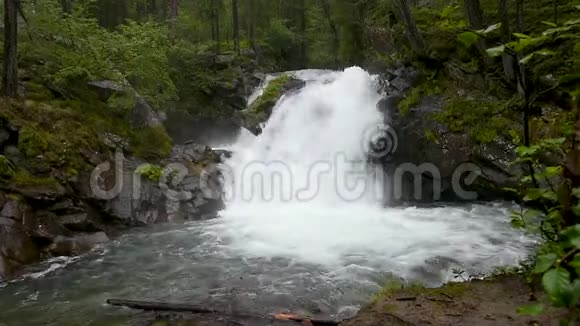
{"x":152,"y":143}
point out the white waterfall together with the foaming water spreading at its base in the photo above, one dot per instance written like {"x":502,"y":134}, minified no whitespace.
{"x":322,"y":128}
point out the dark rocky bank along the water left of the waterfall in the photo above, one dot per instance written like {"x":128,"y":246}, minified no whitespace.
{"x":48,"y":217}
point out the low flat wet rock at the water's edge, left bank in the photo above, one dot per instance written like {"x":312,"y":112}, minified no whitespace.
{"x":72,"y":246}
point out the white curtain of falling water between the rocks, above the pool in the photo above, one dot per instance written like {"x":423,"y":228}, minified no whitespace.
{"x":313,"y":148}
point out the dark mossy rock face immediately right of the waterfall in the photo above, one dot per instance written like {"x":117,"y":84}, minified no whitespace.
{"x":424,"y":140}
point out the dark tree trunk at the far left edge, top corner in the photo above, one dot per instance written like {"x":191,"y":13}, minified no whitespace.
{"x":10,"y":76}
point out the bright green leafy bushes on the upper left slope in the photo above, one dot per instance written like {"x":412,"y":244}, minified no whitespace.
{"x":79,"y":51}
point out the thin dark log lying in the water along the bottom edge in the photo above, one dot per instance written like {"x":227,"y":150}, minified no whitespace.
{"x":178,"y":307}
